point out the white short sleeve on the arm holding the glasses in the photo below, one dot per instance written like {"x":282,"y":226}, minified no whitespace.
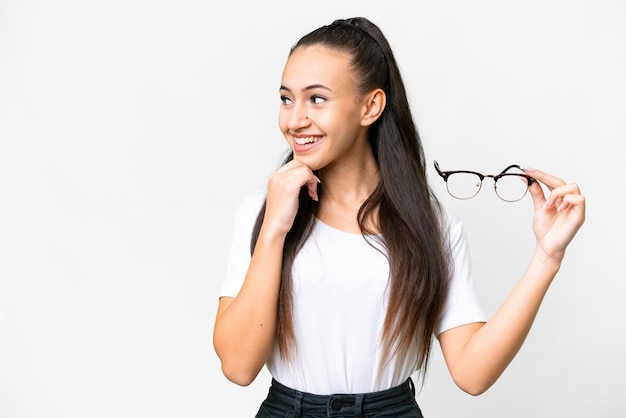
{"x":461,"y":306}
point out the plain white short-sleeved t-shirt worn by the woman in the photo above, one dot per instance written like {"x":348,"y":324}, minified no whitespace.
{"x":340,"y":300}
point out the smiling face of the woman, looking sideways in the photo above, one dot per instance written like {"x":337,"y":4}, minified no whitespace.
{"x":321,"y":112}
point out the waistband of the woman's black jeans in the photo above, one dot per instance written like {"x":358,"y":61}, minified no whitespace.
{"x":338,"y":405}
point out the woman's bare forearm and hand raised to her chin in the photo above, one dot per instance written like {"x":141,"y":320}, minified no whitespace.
{"x":245,"y":326}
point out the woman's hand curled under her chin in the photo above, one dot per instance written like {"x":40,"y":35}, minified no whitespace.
{"x":282,"y":195}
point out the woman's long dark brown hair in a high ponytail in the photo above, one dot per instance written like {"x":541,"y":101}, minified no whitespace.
{"x":409,"y":215}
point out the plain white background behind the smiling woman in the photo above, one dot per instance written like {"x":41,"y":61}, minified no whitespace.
{"x":131,"y":129}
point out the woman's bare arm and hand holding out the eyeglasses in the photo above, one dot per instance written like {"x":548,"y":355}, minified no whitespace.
{"x":477,"y":354}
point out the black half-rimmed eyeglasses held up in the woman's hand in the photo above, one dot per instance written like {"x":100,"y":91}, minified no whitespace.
{"x":510,"y":185}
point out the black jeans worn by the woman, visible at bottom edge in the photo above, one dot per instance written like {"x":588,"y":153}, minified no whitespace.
{"x":283,"y":402}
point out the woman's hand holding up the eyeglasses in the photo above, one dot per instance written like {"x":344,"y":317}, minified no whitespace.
{"x":557,"y":217}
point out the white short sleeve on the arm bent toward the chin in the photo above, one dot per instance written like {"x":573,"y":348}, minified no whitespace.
{"x":239,"y":255}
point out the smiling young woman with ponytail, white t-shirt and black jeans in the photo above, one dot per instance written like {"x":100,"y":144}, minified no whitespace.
{"x":344,"y":269}
